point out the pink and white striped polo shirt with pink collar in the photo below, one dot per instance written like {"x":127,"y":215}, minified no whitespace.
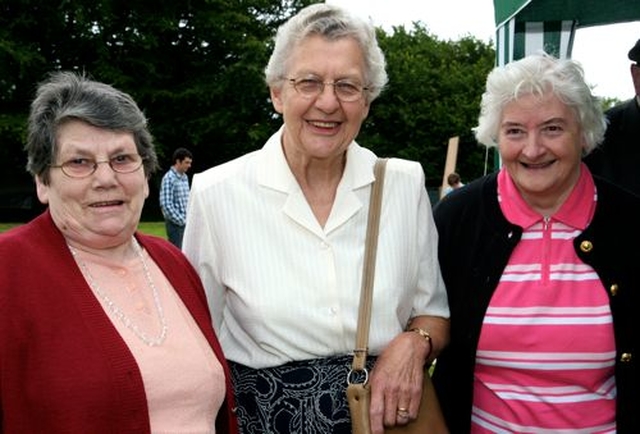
{"x":545,"y":359}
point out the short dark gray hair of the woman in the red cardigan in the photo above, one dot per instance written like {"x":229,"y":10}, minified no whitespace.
{"x":69,"y":96}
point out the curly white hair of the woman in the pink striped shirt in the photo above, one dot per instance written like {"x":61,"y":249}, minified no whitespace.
{"x":538,"y":74}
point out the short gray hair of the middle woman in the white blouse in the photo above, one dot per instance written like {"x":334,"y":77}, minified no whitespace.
{"x":332,"y":23}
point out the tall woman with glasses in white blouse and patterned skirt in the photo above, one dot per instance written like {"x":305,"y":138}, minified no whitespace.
{"x":278,"y":238}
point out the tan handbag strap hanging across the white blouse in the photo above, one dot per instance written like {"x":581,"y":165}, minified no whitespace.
{"x":368,"y":271}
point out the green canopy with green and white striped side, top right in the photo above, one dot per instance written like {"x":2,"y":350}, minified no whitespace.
{"x":526,"y":26}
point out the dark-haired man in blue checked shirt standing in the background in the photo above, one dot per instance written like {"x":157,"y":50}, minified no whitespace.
{"x":174,"y":195}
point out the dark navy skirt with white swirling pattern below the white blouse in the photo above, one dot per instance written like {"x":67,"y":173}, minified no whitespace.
{"x":303,"y":397}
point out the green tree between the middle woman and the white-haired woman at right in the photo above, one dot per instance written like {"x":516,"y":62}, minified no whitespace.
{"x":433,"y":94}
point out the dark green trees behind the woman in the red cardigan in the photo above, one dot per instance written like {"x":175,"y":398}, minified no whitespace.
{"x":195,"y":68}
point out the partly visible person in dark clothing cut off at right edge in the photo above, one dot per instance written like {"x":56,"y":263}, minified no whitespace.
{"x":618,"y":158}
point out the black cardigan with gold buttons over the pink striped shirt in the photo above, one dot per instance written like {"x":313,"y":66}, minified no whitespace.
{"x":475,"y":243}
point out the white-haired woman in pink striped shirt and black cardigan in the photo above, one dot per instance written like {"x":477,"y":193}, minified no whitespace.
{"x":540,"y":264}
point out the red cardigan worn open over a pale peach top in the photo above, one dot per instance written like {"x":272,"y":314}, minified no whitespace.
{"x":63,"y":366}
